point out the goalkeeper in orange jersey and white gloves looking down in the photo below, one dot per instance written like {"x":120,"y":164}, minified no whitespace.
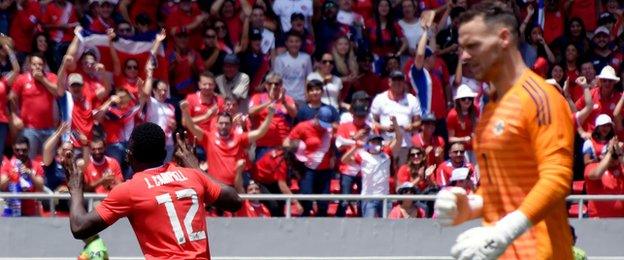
{"x":523,"y":145}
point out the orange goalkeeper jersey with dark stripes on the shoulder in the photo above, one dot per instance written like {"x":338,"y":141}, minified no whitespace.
{"x":523,"y":146}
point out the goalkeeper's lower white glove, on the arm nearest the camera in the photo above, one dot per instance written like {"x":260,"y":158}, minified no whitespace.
{"x":490,"y":242}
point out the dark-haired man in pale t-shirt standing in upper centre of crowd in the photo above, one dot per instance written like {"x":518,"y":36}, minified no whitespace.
{"x":294,"y":66}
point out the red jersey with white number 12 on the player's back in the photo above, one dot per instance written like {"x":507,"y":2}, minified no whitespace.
{"x":165,"y":206}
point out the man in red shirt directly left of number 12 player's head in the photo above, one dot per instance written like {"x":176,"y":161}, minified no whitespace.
{"x":102,"y":173}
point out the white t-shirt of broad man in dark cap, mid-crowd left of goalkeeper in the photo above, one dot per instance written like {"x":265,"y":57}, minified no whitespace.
{"x":404,"y":110}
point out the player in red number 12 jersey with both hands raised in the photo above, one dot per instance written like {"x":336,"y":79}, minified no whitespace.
{"x":163,"y":202}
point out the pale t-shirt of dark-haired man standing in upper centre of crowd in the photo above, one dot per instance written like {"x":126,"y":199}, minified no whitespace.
{"x":294,"y":71}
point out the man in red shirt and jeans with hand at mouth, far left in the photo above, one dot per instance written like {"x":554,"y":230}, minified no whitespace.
{"x":32,"y":102}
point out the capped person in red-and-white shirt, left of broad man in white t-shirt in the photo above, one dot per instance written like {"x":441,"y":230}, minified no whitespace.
{"x":347,"y":135}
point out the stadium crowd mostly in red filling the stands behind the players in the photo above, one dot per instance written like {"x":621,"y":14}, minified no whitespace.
{"x":291,"y":96}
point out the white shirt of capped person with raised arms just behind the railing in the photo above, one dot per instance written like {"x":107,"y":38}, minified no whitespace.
{"x":375,"y":169}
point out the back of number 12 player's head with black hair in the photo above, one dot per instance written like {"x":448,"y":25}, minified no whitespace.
{"x":147,"y":144}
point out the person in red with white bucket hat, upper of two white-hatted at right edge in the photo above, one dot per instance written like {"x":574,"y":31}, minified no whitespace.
{"x":605,"y":97}
